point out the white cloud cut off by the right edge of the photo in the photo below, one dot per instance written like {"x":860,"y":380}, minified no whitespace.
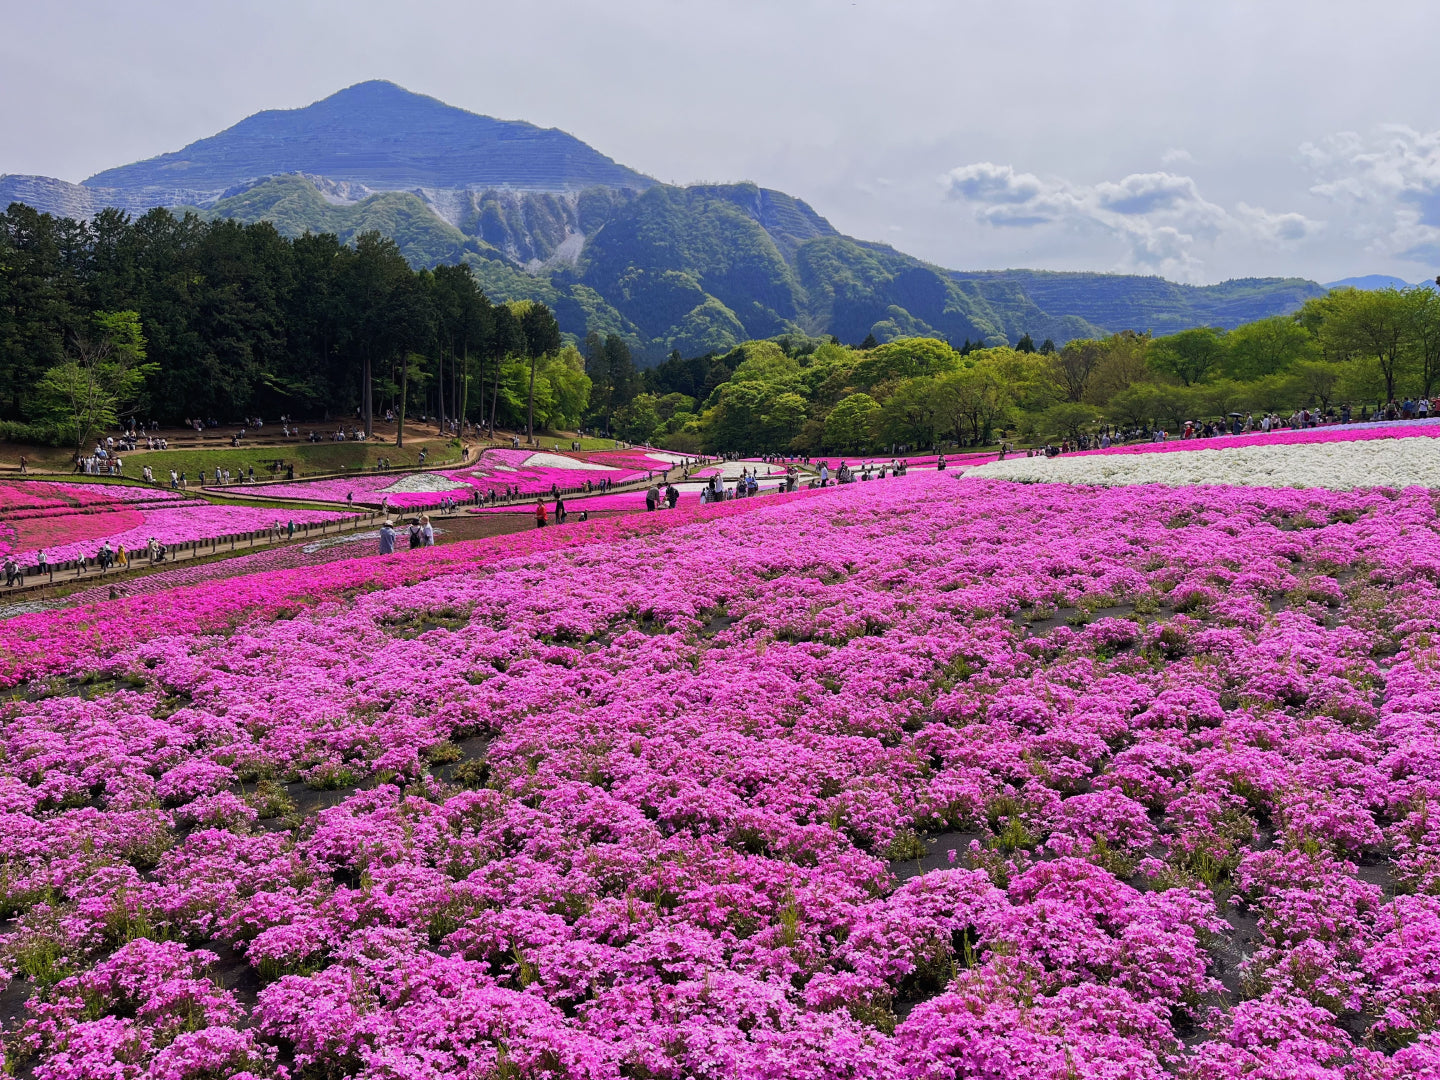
{"x":1387,"y":185}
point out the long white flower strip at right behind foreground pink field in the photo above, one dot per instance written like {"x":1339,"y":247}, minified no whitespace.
{"x":1338,"y":466}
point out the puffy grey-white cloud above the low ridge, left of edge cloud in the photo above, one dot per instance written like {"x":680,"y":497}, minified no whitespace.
{"x":1161,"y":218}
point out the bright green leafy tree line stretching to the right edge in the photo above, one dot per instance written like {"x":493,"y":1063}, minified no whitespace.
{"x":810,"y":395}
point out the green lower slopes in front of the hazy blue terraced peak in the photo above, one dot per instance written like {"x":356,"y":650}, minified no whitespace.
{"x":703,"y":269}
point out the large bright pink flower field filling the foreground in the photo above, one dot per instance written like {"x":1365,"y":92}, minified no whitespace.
{"x":906,"y":781}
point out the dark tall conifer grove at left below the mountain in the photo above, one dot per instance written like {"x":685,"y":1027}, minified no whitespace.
{"x":235,"y":320}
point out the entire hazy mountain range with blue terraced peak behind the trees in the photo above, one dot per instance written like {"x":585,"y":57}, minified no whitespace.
{"x":541,"y":215}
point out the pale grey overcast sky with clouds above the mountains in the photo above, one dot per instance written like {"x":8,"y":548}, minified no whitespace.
{"x":1202,"y":140}
